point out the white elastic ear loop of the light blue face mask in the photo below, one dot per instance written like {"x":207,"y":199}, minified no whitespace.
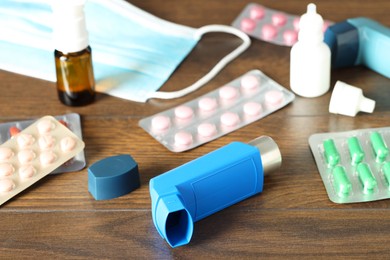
{"x":217,"y":68}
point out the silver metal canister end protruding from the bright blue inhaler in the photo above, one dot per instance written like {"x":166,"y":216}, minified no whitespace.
{"x":269,"y":152}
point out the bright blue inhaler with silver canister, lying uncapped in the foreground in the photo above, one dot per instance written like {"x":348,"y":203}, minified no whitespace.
{"x":209,"y":184}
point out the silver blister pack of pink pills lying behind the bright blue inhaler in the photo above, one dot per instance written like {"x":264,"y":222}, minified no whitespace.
{"x":230,"y":107}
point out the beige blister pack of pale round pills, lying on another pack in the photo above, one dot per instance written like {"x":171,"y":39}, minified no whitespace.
{"x":34,"y":153}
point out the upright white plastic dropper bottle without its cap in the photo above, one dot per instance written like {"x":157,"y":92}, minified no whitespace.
{"x":310,"y":57}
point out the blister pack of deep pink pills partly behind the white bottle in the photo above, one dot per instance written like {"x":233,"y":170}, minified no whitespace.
{"x":269,"y":25}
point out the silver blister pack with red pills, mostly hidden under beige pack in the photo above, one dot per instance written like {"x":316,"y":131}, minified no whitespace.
{"x":71,"y":121}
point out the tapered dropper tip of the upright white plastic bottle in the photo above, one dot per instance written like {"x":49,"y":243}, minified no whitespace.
{"x":310,"y":25}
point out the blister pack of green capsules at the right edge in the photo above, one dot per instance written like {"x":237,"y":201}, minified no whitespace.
{"x":354,"y":165}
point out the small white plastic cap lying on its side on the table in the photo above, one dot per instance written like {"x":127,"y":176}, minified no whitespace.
{"x":349,"y":100}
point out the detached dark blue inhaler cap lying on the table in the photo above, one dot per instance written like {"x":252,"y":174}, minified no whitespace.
{"x":113,"y":177}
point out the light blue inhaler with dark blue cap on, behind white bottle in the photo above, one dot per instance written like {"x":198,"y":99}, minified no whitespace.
{"x":360,"y":41}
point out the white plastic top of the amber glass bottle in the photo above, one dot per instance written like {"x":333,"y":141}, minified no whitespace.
{"x":69,"y":27}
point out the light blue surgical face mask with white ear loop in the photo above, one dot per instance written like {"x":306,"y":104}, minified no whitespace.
{"x":134,"y":52}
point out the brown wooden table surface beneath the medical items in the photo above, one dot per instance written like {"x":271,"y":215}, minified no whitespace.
{"x":293,"y":217}
